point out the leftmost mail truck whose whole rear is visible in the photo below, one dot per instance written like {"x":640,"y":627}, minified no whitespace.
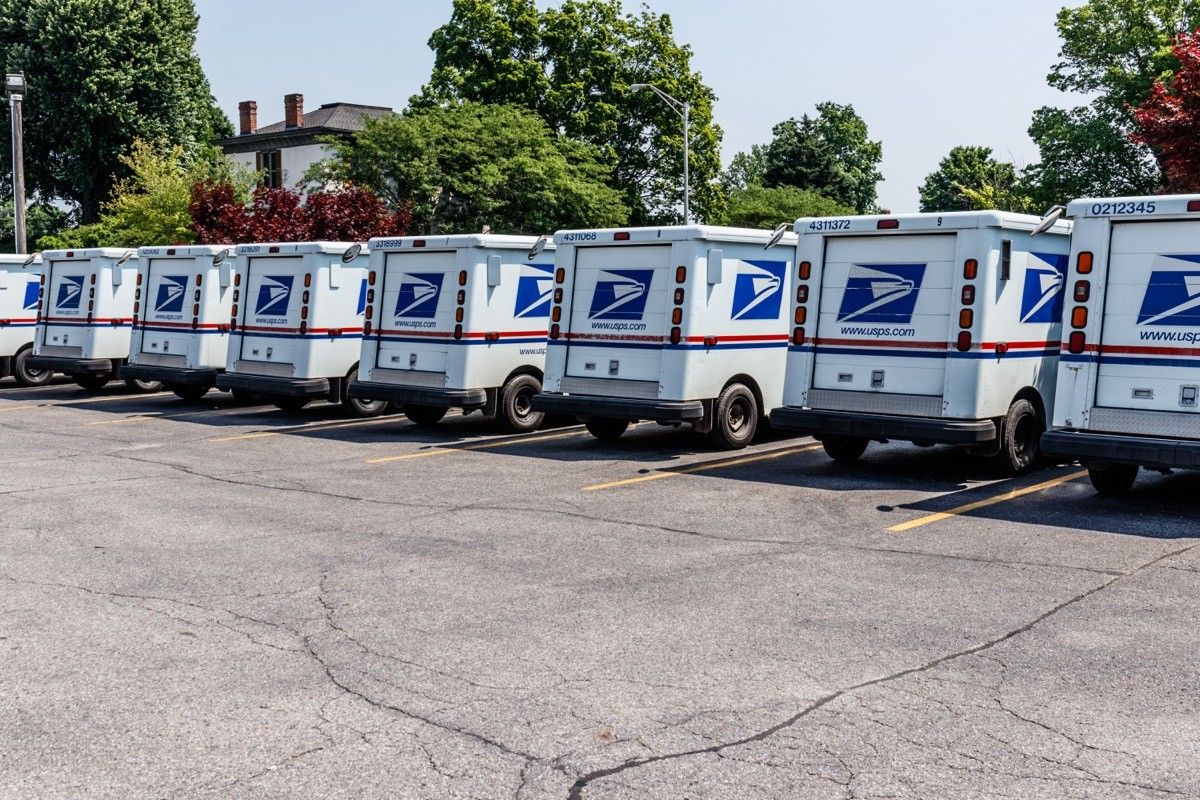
{"x":87,"y":316}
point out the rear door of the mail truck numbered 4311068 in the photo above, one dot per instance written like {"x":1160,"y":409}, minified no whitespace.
{"x":620,"y":311}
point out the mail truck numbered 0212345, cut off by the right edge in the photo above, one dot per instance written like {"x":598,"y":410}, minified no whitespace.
{"x":1130,"y":376}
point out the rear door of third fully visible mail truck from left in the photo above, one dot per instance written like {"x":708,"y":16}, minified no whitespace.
{"x":274,"y":290}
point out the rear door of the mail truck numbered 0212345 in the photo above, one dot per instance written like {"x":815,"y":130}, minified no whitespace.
{"x":1150,"y":339}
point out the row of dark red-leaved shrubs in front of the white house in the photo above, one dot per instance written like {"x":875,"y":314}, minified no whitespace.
{"x":283,"y":215}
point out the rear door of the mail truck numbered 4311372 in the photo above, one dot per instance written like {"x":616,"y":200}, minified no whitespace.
{"x":885,"y":315}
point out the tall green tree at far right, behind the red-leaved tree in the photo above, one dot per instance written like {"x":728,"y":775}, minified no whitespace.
{"x":1115,"y":51}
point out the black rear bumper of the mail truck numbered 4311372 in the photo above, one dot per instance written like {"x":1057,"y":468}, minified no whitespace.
{"x":879,"y":426}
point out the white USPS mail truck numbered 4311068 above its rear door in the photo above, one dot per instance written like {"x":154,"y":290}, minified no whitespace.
{"x":682,"y":324}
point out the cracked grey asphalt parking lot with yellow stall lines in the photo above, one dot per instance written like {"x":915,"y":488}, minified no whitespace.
{"x":220,"y":601}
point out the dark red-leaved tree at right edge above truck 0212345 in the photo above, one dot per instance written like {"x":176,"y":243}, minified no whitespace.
{"x":1171,"y":119}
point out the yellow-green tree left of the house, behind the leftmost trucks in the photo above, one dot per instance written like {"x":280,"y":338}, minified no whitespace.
{"x":152,"y":206}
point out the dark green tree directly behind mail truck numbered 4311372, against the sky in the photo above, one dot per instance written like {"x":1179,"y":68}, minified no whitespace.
{"x":830,"y":154}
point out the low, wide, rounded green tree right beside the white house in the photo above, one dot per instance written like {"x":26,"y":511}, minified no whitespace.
{"x":467,"y":166}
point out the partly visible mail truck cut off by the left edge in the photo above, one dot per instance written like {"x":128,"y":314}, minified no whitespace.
{"x":21,"y":288}
